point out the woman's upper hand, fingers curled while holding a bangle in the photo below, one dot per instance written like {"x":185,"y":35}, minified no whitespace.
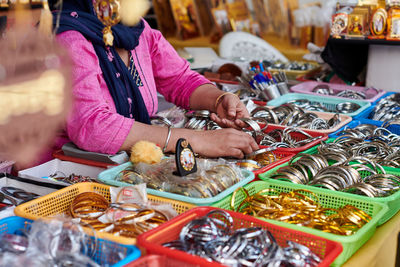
{"x":229,"y":111}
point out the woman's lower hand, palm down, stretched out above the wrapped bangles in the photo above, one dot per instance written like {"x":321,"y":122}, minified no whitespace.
{"x":223,"y":143}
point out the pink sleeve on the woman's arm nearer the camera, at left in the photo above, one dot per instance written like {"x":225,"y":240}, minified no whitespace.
{"x":93,"y":123}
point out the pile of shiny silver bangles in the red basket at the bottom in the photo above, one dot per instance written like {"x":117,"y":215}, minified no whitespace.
{"x":214,"y":238}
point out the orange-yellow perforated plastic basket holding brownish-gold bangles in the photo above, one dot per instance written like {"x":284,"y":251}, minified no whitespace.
{"x":60,"y":201}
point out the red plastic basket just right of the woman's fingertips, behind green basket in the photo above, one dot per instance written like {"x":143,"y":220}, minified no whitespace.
{"x":297,"y":137}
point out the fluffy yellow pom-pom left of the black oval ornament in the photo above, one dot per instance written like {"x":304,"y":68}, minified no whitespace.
{"x":146,"y":152}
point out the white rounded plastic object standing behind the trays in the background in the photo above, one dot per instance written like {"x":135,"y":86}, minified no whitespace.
{"x":248,"y":47}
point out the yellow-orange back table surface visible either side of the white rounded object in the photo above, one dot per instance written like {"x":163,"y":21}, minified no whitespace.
{"x":291,"y":52}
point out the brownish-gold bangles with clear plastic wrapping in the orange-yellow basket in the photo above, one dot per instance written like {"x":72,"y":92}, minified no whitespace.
{"x":123,"y":219}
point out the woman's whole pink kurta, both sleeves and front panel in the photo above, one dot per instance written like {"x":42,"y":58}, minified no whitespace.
{"x":94,"y":124}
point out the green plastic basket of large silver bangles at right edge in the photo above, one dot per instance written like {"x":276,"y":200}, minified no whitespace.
{"x":392,"y":201}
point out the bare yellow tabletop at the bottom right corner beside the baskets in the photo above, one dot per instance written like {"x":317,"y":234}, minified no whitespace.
{"x":381,"y":249}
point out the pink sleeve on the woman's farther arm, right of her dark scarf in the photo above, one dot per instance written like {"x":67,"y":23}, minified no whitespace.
{"x":173,"y":76}
